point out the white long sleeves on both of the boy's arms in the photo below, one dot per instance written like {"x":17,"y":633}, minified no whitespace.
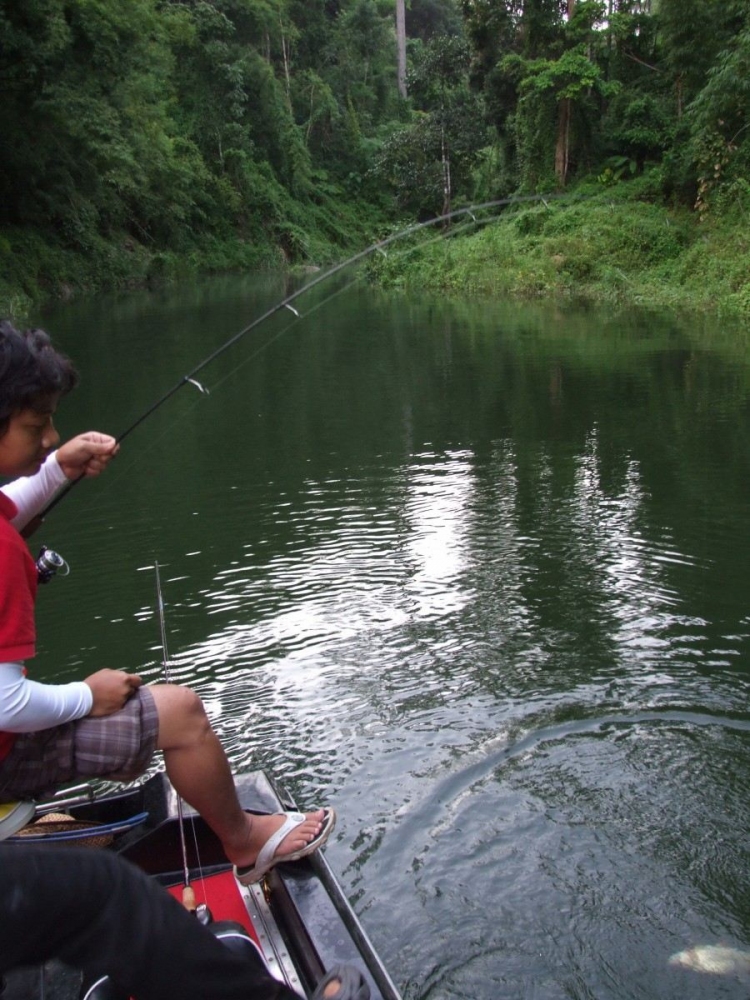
{"x":27,"y":706}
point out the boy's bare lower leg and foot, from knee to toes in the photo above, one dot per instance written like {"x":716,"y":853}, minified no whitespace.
{"x":199,"y":770}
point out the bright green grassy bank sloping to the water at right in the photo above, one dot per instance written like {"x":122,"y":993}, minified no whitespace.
{"x":602,"y":250}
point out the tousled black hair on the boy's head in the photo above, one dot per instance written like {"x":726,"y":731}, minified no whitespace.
{"x":31,"y":371}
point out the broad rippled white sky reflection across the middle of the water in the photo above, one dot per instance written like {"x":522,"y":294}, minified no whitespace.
{"x":446,"y":546}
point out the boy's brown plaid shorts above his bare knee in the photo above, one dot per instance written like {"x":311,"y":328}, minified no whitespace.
{"x":118,"y":747}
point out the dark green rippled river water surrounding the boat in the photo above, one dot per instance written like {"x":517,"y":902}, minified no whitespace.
{"x":477,"y":574}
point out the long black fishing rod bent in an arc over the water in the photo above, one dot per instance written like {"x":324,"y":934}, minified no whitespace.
{"x":287,"y":303}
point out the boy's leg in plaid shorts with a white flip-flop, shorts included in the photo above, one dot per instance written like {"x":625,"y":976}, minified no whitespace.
{"x":120,"y":746}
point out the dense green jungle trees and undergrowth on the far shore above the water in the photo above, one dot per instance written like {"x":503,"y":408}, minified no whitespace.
{"x":146,"y":138}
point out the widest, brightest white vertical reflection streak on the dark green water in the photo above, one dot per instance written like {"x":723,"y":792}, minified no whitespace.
{"x":436,"y":509}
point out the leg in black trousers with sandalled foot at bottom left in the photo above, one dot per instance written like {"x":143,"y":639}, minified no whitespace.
{"x":98,"y":913}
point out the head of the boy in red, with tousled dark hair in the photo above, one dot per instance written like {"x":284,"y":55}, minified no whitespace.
{"x":33,"y":377}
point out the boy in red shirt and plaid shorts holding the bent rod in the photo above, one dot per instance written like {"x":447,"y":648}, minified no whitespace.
{"x":108,"y":725}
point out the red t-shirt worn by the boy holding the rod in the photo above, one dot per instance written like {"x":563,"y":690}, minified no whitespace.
{"x":18,"y":583}
